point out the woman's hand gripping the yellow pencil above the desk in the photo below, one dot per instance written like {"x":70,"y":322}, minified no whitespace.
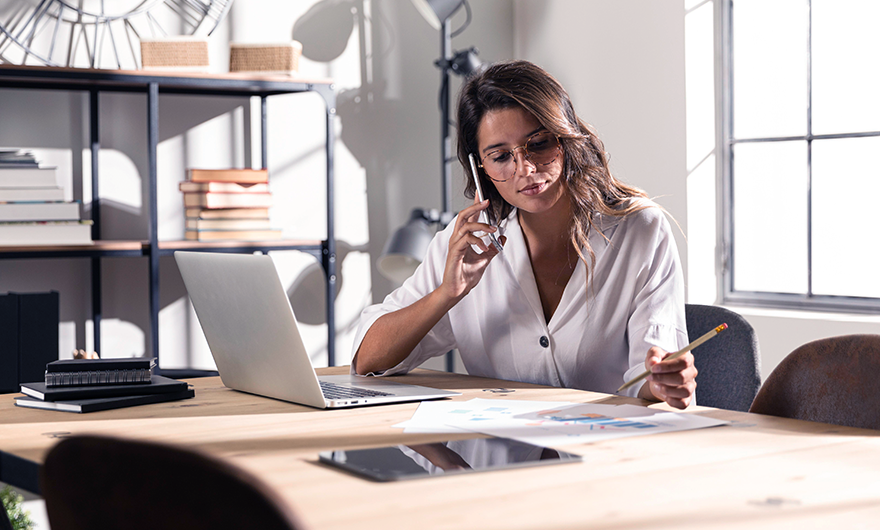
{"x":671,"y":381}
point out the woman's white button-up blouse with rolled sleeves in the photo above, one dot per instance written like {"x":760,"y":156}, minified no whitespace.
{"x":596,"y":339}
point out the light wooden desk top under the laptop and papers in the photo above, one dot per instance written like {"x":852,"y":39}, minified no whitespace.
{"x":757,"y":472}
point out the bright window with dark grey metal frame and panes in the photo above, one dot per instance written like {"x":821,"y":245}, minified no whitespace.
{"x":801,"y":147}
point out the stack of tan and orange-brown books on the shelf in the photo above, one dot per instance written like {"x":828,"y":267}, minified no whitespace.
{"x":228,"y":204}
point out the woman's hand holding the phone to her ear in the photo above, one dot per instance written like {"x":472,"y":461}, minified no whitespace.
{"x":464,"y":266}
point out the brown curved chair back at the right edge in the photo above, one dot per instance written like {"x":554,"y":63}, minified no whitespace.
{"x":834,"y":380}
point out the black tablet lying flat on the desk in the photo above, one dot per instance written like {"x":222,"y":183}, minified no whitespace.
{"x":403,"y":462}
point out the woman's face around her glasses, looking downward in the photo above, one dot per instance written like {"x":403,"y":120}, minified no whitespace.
{"x":531,"y":188}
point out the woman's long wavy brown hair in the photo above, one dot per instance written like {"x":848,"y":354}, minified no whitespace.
{"x":592,"y":188}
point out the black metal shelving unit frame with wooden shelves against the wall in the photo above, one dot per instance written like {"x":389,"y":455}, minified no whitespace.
{"x":153,"y":85}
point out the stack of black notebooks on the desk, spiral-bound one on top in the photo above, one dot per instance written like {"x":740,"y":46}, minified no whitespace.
{"x":90,"y":385}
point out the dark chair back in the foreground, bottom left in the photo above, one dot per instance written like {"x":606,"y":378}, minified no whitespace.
{"x":101,"y":483}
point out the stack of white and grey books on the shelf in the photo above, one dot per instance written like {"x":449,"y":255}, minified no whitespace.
{"x":32,"y":206}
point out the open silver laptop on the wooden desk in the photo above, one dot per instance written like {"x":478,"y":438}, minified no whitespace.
{"x":255,"y":341}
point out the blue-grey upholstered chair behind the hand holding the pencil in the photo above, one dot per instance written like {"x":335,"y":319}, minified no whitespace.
{"x":728,"y":366}
